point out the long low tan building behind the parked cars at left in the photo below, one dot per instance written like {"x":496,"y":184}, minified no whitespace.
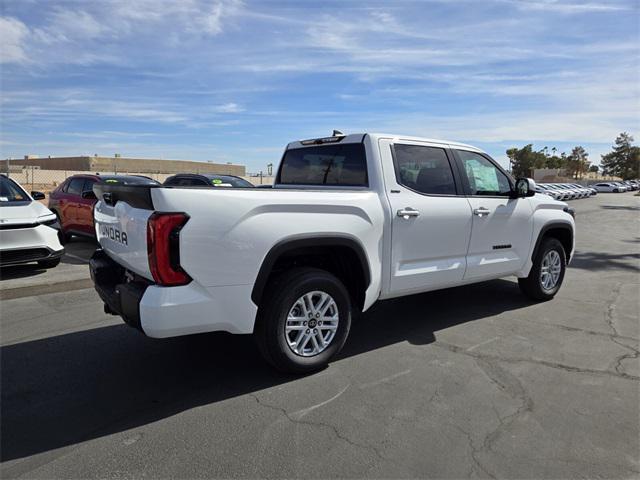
{"x":123,"y":164}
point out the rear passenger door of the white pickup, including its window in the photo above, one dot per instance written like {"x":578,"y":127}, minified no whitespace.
{"x":431,"y":219}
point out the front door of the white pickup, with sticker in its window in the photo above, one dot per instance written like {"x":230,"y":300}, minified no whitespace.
{"x":502,"y":226}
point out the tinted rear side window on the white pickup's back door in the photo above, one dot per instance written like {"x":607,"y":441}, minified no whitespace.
{"x":423,"y":169}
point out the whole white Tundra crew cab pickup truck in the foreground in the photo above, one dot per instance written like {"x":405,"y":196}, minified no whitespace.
{"x":351,"y":219}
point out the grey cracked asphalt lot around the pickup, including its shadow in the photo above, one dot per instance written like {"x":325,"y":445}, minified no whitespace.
{"x":470,"y":382}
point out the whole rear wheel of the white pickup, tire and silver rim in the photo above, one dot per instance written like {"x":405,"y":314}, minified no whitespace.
{"x":304,"y":320}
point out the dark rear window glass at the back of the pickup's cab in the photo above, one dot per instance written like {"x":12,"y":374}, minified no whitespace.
{"x":337,"y":165}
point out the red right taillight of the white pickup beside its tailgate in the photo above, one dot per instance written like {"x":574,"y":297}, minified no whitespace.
{"x":163,"y":248}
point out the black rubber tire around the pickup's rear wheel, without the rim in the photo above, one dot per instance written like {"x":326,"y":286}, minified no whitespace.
{"x":279,"y":298}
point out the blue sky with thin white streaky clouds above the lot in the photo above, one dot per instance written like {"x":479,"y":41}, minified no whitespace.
{"x":234,"y":81}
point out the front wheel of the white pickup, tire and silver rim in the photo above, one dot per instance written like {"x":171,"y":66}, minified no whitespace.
{"x":547,"y":272}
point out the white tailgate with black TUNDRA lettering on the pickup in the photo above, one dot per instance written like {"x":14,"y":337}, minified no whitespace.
{"x":121,"y":229}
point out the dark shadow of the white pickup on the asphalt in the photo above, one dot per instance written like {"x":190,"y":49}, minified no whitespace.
{"x":66,"y":389}
